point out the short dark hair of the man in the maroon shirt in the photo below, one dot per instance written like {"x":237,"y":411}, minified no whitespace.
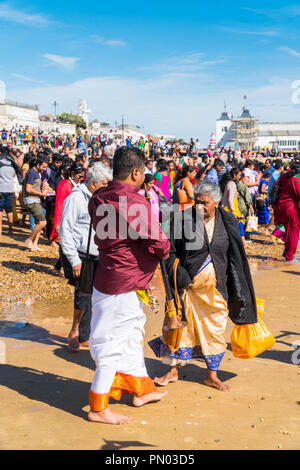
{"x":125,"y":160}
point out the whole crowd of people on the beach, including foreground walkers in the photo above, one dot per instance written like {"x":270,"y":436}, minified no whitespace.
{"x":63,"y":191}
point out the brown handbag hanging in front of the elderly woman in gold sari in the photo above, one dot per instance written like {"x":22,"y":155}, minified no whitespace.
{"x":173,"y":324}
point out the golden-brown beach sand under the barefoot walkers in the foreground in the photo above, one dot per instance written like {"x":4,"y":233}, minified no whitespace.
{"x":44,"y":387}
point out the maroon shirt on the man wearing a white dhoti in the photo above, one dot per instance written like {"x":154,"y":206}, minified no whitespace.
{"x":126,"y":263}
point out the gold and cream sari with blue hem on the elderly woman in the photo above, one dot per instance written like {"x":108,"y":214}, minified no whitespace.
{"x":207,"y":313}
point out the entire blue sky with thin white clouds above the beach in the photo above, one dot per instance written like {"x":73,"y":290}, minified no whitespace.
{"x":166,"y":66}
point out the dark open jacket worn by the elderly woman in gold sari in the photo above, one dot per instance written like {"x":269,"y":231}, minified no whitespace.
{"x":233,"y":275}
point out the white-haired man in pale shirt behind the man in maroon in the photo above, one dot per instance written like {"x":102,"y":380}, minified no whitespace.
{"x":77,"y":247}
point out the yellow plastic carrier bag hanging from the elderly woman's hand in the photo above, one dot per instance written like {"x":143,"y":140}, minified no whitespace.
{"x":251,"y":340}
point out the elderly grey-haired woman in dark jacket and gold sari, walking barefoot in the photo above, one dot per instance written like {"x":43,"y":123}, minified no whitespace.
{"x":214,"y":281}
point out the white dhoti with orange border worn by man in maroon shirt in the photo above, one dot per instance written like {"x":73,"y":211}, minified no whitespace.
{"x":117,"y":347}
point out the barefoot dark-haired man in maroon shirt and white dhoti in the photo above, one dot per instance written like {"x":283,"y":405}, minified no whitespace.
{"x":130,"y":244}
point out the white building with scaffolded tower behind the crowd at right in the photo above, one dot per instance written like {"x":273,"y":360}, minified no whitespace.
{"x":276,"y":136}
